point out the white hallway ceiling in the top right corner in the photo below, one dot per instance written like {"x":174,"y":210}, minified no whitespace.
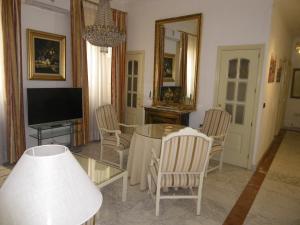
{"x":291,"y":12}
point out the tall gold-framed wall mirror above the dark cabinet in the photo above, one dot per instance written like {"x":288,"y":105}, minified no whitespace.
{"x":176,"y":59}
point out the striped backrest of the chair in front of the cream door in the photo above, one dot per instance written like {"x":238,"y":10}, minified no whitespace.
{"x":216,"y":122}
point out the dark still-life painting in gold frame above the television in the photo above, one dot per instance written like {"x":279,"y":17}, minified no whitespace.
{"x":46,"y":56}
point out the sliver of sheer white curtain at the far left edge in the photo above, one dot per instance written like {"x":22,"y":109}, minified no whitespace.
{"x":3,"y":148}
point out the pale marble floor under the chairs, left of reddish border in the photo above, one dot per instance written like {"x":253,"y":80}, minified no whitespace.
{"x":220,"y":192}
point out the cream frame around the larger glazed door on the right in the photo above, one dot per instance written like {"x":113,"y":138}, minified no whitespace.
{"x":261,"y":50}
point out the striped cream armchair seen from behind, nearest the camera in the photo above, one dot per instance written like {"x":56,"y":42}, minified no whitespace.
{"x":182,"y":163}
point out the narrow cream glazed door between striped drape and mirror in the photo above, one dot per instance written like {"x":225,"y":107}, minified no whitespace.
{"x":134,"y":113}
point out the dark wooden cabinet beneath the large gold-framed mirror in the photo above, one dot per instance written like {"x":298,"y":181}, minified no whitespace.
{"x":166,"y":115}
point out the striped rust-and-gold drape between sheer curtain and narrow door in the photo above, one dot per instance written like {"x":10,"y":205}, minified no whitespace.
{"x":118,"y":68}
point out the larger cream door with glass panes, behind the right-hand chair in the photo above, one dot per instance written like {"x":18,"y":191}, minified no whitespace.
{"x":236,"y":92}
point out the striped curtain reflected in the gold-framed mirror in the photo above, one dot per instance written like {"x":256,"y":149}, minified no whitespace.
{"x":183,"y":62}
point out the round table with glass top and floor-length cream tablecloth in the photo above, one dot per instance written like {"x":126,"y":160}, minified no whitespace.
{"x":144,"y":139}
